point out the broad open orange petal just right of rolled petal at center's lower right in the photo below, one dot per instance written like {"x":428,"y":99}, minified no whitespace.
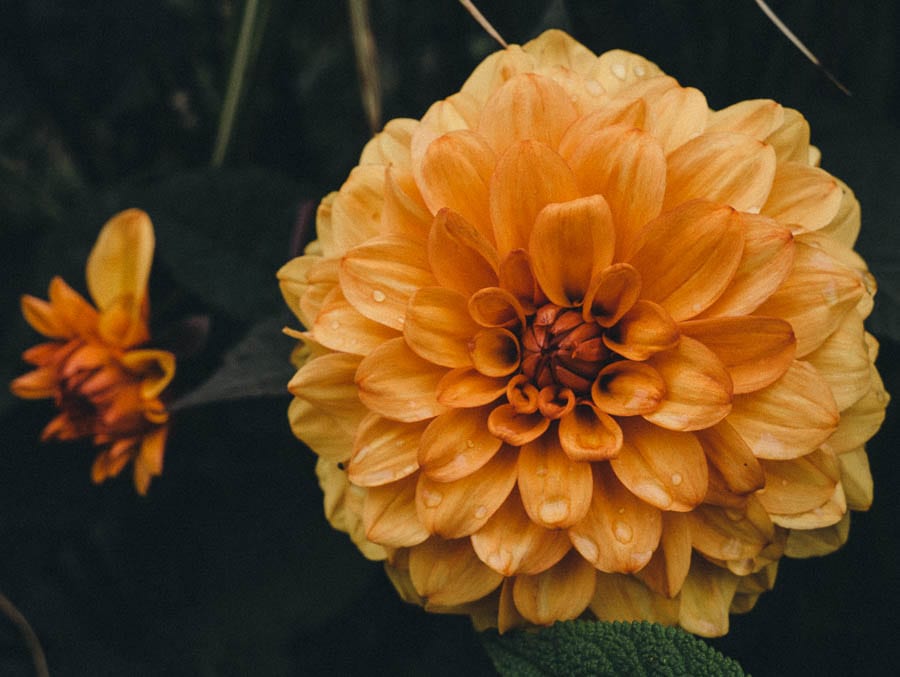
{"x":698,"y":387}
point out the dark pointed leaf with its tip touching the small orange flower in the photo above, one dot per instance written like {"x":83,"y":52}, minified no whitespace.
{"x":257,"y":366}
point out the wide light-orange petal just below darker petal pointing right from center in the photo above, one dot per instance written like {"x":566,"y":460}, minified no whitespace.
{"x":789,"y":418}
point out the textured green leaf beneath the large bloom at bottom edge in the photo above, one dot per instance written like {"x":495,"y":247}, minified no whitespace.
{"x":614,"y":649}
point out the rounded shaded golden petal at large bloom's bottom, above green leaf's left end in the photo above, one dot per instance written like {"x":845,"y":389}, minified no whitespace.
{"x":559,"y":594}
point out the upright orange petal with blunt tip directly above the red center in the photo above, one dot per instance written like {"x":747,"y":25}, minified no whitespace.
{"x":570,"y":243}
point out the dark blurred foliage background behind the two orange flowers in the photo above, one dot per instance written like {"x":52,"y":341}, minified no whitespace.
{"x":228,"y":567}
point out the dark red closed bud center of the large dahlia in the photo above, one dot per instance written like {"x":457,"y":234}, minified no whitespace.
{"x":559,"y":348}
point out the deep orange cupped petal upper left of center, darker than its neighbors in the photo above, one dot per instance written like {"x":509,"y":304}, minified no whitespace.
{"x":461,"y":258}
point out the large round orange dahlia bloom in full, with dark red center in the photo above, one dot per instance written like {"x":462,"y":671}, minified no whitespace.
{"x":577,"y":344}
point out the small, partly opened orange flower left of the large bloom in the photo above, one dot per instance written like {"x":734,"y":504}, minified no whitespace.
{"x":105,"y":388}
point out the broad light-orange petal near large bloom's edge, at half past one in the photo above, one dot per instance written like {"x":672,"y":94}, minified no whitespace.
{"x":722,"y":167}
